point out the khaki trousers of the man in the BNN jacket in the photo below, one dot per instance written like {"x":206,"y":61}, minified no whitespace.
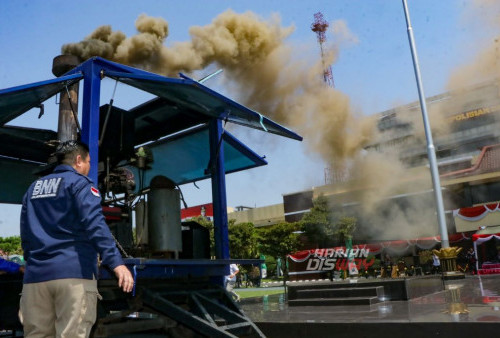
{"x":59,"y":308}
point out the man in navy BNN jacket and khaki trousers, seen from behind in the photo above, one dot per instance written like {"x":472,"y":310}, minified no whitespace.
{"x":62,"y":232}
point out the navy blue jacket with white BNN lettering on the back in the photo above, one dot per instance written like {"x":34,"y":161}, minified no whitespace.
{"x":63,"y":228}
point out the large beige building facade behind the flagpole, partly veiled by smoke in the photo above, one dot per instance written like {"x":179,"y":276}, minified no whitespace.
{"x":466,"y":133}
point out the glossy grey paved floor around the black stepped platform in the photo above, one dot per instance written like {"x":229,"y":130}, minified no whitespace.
{"x":473,"y":299}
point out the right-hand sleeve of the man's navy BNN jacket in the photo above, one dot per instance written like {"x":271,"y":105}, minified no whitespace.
{"x":92,"y":219}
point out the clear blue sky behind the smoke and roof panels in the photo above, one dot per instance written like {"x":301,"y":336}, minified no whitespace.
{"x":376,"y":73}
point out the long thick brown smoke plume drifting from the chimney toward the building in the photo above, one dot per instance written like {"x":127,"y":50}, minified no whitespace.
{"x":269,"y":75}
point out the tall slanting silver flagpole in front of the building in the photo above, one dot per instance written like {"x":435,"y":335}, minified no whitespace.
{"x":431,"y":153}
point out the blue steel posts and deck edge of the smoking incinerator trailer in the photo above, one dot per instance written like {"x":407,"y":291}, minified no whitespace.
{"x":92,"y":71}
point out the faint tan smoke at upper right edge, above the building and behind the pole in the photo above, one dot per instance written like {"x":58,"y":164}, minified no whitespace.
{"x":484,"y":17}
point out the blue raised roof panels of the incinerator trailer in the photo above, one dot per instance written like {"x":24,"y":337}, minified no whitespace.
{"x":174,"y":126}
